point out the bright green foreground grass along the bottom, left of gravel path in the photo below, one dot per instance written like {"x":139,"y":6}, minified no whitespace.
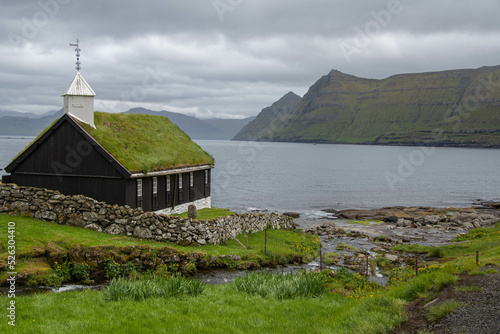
{"x":219,"y":309}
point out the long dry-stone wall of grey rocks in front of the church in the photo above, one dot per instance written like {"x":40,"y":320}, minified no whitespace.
{"x":85,"y":212}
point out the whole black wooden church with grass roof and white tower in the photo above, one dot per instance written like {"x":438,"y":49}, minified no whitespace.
{"x":126,"y":159}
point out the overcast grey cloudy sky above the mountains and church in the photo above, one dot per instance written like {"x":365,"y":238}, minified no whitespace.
{"x":228,"y":58}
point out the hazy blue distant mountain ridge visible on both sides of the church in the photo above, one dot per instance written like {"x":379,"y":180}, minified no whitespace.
{"x":196,"y":128}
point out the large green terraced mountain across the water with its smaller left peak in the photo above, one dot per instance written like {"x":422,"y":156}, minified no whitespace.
{"x":448,"y":108}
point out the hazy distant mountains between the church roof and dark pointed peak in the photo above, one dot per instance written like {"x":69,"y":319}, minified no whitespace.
{"x":213,"y":128}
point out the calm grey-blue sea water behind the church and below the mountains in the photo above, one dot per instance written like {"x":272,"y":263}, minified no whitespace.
{"x":307,"y":178}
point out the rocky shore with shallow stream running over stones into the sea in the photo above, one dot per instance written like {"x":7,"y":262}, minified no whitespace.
{"x":361,"y":240}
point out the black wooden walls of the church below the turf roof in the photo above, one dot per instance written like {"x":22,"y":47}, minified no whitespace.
{"x":66,"y":160}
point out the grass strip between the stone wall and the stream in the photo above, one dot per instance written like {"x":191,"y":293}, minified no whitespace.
{"x":33,"y":236}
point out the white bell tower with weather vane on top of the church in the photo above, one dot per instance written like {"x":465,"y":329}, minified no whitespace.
{"x":79,"y":96}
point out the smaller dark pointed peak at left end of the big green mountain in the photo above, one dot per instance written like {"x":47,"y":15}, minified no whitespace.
{"x":269,"y":118}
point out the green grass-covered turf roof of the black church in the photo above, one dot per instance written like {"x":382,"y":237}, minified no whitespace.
{"x":146,"y":143}
